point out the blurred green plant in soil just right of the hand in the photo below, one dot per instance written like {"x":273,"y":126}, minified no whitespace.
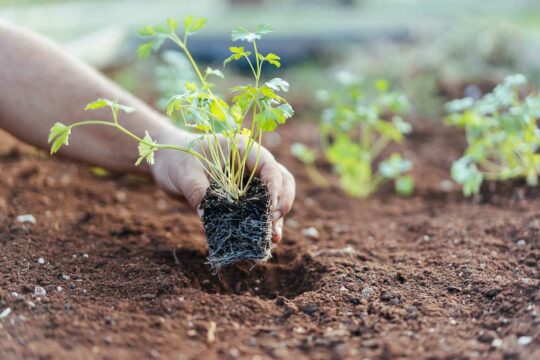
{"x":357,"y":129}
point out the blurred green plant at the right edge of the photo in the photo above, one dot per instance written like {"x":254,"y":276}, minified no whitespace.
{"x":502,"y":135}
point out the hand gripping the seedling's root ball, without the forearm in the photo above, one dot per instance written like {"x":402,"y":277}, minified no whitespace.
{"x":180,"y":174}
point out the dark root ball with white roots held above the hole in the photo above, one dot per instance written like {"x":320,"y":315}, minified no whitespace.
{"x":238,"y":230}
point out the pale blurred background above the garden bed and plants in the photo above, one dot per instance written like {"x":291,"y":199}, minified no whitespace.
{"x":433,"y":50}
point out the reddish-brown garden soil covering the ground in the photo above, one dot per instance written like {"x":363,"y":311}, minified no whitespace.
{"x":431,"y":277}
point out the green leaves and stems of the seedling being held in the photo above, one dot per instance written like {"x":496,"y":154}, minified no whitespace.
{"x":202,"y":110}
